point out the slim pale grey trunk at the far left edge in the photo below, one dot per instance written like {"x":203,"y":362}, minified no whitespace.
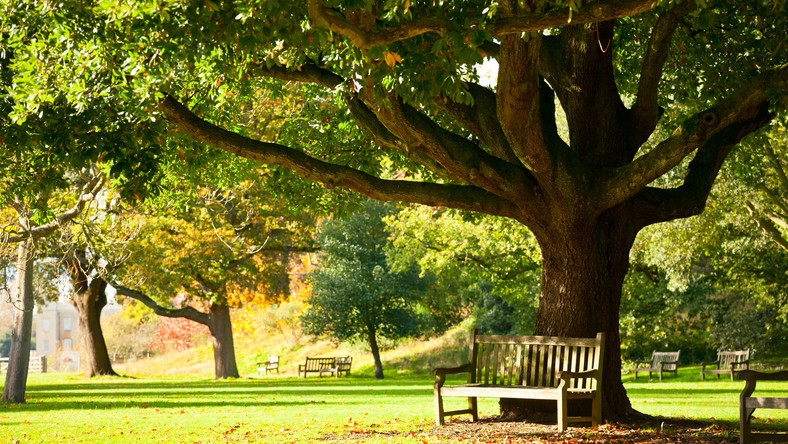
{"x":19,"y":357}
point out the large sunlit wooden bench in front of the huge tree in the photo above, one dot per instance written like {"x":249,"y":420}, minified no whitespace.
{"x":527,"y":367}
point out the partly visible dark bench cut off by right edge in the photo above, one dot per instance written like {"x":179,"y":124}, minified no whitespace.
{"x":748,"y":404}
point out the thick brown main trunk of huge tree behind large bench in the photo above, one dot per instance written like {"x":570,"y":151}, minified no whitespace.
{"x":583,"y":270}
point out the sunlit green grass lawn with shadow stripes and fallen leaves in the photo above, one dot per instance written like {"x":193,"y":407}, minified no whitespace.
{"x":68,"y":408}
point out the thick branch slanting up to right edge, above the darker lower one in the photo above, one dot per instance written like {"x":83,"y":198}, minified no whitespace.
{"x":729,"y":114}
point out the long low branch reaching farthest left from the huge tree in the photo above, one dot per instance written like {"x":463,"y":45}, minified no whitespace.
{"x":454,"y":196}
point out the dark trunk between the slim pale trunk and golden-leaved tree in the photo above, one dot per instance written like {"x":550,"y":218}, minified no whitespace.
{"x":89,"y":300}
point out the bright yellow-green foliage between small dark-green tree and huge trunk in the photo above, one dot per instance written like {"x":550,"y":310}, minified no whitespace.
{"x":486,"y":265}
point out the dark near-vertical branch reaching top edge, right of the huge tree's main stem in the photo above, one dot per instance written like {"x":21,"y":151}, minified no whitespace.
{"x":646,"y":111}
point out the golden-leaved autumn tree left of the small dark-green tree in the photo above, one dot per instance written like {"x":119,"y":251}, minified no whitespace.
{"x":212,"y":250}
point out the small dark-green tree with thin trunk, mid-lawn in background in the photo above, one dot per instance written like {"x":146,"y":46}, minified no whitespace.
{"x":356,"y":294}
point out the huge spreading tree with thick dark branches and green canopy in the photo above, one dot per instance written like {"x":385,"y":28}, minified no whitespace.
{"x":406,"y":73}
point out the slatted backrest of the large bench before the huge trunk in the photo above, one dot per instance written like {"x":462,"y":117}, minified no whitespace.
{"x":534,"y":360}
